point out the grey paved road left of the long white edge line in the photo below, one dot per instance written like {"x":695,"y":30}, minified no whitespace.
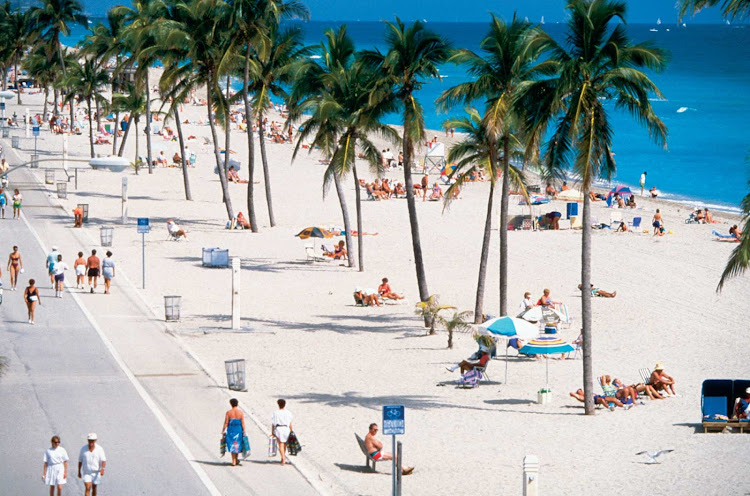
{"x":62,"y":380}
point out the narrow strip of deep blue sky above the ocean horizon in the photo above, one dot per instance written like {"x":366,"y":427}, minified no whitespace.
{"x":639,"y":11}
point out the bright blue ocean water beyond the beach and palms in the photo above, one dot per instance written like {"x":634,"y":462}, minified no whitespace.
{"x":706,"y":87}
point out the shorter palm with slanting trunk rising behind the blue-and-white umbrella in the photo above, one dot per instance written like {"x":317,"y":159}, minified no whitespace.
{"x":482,"y":149}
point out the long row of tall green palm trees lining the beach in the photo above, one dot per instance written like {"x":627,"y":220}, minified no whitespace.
{"x":529,"y":99}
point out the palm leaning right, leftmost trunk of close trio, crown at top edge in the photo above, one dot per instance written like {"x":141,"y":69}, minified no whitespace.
{"x":193,"y":32}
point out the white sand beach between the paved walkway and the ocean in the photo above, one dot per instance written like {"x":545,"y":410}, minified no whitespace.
{"x":303,"y":338}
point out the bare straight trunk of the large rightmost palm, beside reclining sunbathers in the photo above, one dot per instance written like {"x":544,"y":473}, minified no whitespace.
{"x":588,"y":372}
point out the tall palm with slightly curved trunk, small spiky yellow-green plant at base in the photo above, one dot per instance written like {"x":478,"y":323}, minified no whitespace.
{"x":412,"y":55}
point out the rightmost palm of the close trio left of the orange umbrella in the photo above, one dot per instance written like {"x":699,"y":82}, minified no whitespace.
{"x":270,"y":69}
